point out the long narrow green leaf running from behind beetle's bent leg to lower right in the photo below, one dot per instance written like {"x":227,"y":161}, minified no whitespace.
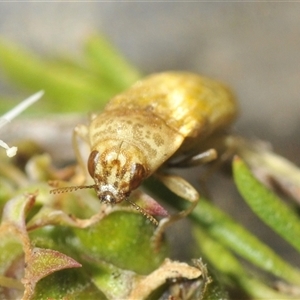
{"x":231,"y":234}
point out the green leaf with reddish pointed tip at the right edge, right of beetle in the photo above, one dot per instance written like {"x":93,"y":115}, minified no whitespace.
{"x":266,"y":205}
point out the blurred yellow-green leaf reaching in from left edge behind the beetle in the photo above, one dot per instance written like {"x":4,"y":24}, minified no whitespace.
{"x":70,"y":90}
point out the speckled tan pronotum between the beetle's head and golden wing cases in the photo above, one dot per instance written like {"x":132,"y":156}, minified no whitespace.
{"x":150,"y":137}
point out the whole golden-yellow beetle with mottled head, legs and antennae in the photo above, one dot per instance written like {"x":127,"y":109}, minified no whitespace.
{"x":140,"y":131}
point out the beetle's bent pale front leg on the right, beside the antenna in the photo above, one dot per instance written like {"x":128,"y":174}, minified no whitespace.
{"x":183,"y":189}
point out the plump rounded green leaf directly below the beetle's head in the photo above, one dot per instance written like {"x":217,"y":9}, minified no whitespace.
{"x":123,"y":239}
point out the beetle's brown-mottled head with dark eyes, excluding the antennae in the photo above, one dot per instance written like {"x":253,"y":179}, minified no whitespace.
{"x":117,"y":168}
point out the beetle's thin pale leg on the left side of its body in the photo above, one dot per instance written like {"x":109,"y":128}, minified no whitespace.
{"x":80,"y":131}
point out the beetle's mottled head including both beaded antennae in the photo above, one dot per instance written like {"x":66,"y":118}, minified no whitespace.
{"x":115,"y":174}
